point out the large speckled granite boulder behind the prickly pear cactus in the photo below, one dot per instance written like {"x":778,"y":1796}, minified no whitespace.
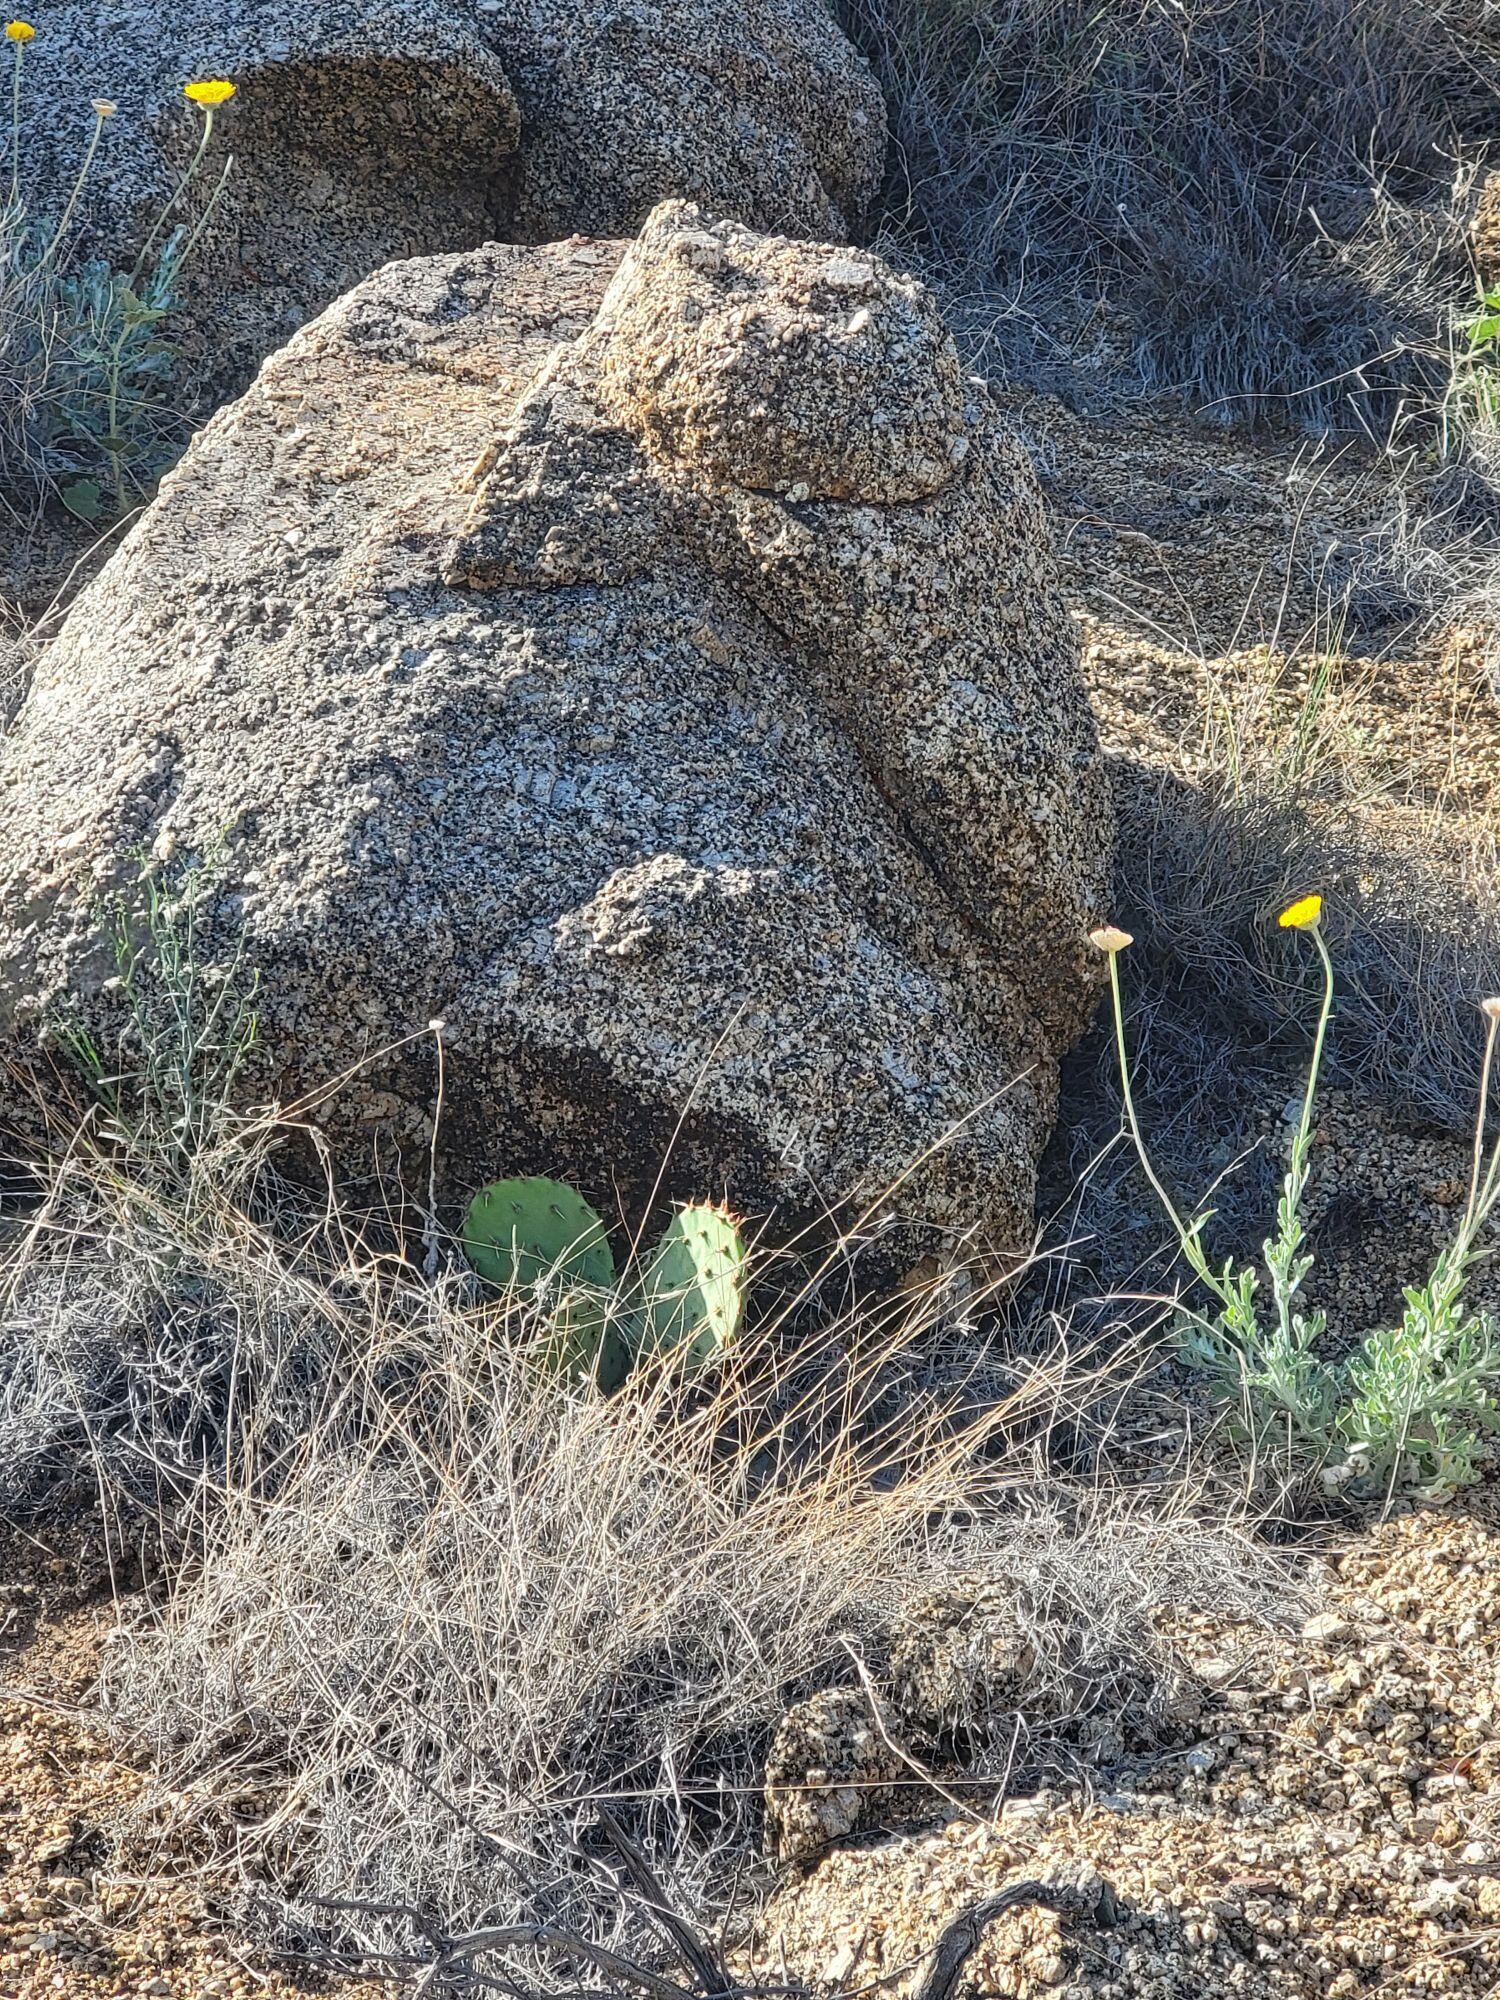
{"x":533,"y":657}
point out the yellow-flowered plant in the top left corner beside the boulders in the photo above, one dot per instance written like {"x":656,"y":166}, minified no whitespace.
{"x":87,"y":359}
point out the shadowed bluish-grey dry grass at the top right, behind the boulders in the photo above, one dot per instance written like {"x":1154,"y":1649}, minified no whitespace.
{"x":1263,"y":189}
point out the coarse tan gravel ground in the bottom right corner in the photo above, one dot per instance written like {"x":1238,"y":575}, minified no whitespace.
{"x":1333,"y":1833}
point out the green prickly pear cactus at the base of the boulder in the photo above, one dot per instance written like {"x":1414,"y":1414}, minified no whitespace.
{"x":681,"y":1303}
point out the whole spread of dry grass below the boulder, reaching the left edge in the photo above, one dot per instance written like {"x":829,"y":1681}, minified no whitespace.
{"x":429,"y":1619}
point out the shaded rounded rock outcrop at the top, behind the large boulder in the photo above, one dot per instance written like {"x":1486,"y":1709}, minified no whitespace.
{"x":367,"y":131}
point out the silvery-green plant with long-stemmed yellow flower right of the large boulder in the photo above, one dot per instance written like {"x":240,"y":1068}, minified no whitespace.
{"x":1411,"y":1407}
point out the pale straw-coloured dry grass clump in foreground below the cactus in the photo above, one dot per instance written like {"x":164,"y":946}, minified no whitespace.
{"x":483,"y":1613}
